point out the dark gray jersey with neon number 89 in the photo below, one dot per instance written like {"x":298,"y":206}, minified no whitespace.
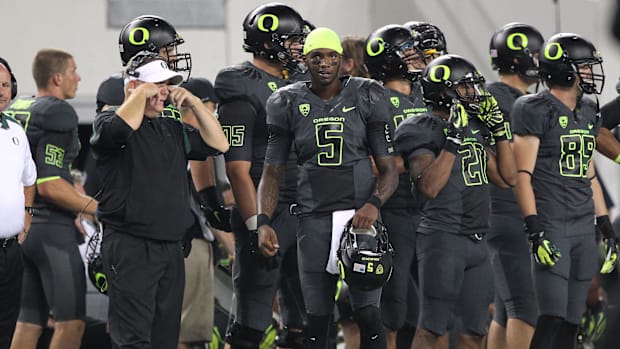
{"x":567,"y":143}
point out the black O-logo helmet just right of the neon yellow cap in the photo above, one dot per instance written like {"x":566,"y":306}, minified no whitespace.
{"x":385,"y":53}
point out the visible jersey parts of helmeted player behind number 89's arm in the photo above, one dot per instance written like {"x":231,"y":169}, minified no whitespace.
{"x":503,"y":201}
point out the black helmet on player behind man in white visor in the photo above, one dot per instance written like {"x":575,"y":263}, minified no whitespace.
{"x":152,"y":33}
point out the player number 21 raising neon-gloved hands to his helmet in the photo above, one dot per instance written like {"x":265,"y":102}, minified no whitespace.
{"x":448,"y":156}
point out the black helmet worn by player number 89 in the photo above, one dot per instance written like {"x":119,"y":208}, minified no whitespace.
{"x":561,"y":57}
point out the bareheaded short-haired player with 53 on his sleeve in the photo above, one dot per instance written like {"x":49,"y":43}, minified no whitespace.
{"x":54,"y":278}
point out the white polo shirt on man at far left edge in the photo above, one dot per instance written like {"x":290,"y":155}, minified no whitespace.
{"x":18,"y":170}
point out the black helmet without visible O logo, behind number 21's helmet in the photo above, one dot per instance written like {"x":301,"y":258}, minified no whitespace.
{"x":429,"y":40}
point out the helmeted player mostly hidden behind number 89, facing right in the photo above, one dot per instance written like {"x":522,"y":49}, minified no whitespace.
{"x":514,"y":53}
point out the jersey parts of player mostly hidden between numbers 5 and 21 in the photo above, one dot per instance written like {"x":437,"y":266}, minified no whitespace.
{"x":402,"y":108}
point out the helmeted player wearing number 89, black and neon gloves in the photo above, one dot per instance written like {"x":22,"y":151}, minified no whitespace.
{"x":557,"y":189}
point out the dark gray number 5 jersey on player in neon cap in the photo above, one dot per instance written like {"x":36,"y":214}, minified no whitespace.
{"x":331,"y":140}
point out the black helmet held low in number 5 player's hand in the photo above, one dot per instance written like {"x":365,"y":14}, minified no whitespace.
{"x":365,"y":257}
